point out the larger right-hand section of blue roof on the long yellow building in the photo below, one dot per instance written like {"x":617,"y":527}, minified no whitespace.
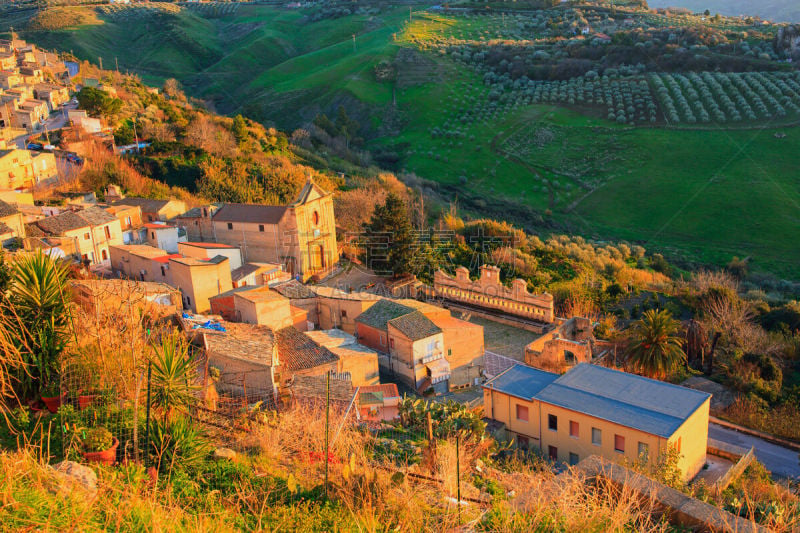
{"x":626,"y":399}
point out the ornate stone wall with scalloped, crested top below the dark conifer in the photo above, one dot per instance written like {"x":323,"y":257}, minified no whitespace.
{"x":488,"y":292}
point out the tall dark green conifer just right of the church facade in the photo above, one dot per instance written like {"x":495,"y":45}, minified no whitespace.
{"x":388,"y":237}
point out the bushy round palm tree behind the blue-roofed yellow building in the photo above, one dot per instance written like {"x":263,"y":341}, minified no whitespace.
{"x":655,"y":344}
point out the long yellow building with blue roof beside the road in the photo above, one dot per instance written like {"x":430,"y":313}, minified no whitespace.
{"x":593,"y":410}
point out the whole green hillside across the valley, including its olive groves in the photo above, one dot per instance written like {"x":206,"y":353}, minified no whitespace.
{"x":713,"y":178}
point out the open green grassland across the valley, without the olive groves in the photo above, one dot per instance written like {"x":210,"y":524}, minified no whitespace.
{"x":709,"y":194}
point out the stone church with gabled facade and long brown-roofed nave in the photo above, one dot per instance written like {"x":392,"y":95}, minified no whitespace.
{"x":300,"y":236}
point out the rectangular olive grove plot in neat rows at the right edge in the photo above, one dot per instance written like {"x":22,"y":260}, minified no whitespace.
{"x":727,"y":97}
